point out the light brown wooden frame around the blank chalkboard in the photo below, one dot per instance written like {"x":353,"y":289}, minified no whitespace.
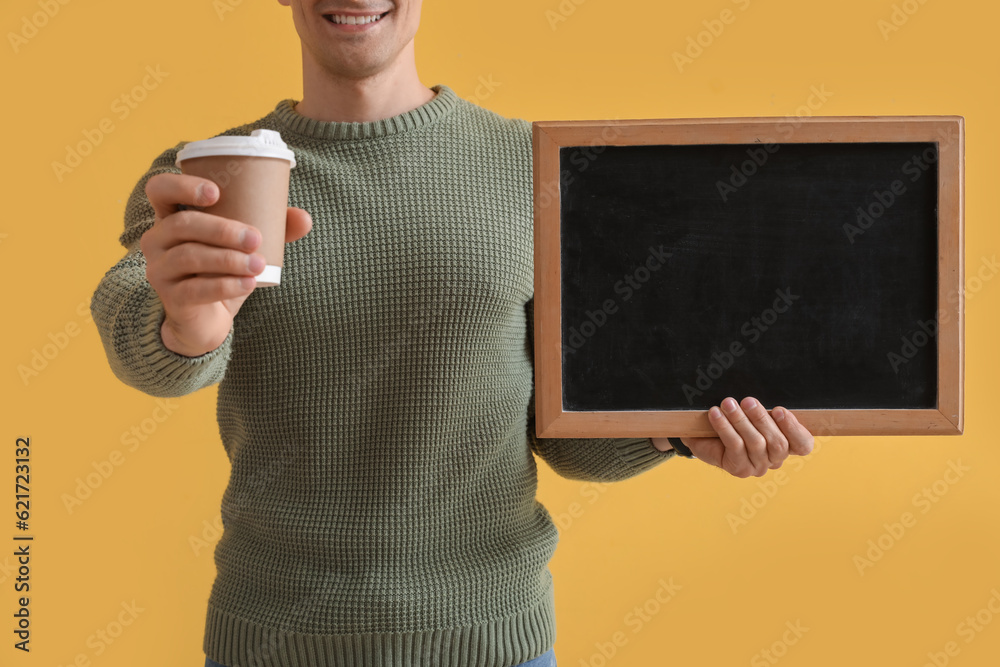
{"x":549,"y":136}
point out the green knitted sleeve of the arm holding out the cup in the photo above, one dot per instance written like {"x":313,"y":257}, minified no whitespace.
{"x":128,"y":312}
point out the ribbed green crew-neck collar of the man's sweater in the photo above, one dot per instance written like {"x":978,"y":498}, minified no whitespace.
{"x":425,"y":114}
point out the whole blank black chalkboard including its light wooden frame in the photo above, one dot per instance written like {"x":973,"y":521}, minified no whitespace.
{"x":820,"y":272}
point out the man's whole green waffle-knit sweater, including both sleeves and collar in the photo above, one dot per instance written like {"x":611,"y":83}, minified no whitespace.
{"x":377,"y":406}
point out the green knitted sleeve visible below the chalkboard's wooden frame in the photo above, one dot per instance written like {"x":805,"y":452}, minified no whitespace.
{"x":589,"y":459}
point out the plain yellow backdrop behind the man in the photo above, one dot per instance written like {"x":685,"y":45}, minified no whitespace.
{"x":793,"y":562}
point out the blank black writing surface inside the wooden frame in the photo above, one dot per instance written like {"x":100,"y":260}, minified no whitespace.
{"x":813,"y":308}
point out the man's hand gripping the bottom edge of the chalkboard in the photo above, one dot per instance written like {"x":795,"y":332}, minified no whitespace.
{"x":751,"y":441}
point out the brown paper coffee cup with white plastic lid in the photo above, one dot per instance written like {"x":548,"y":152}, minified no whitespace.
{"x":253,"y":175}
